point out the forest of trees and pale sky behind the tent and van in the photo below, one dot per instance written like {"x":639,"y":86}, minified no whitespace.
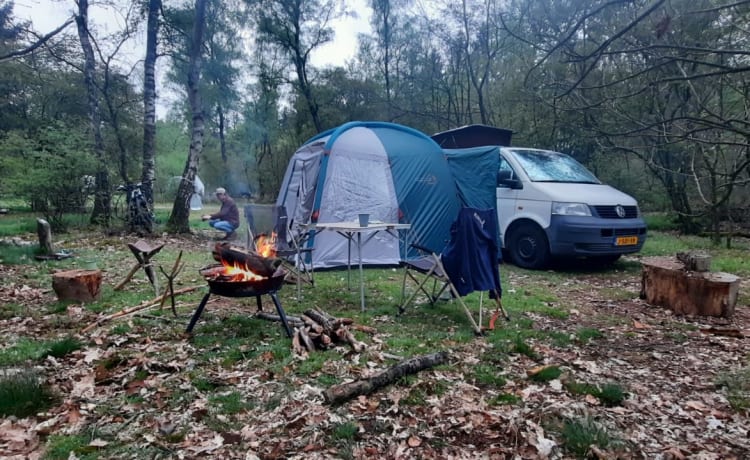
{"x":653,"y":96}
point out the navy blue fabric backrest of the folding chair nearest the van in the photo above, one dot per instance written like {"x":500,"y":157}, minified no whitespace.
{"x":470,"y":258}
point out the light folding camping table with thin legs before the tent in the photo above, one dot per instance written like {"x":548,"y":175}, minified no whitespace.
{"x":348,"y":230}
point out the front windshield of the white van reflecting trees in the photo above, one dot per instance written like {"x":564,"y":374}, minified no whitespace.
{"x":547,"y":166}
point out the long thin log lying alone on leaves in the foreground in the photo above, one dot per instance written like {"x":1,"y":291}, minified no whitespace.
{"x":345,"y":391}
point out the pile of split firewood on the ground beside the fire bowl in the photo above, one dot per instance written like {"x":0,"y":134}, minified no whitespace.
{"x":317,"y":330}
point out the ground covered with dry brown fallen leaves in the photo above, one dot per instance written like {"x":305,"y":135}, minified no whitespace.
{"x":669,"y":366}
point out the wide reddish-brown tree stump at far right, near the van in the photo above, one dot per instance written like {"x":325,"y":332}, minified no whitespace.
{"x":667,"y":283}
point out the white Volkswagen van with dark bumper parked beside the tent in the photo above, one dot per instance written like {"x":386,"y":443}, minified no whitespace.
{"x":550,"y":205}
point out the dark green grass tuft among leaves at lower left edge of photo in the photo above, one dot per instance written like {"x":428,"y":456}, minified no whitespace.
{"x":23,"y":395}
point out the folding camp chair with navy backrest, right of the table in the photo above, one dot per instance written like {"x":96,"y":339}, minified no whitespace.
{"x":468,"y":263}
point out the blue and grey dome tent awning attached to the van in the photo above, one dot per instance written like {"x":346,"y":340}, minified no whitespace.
{"x":394,"y":173}
